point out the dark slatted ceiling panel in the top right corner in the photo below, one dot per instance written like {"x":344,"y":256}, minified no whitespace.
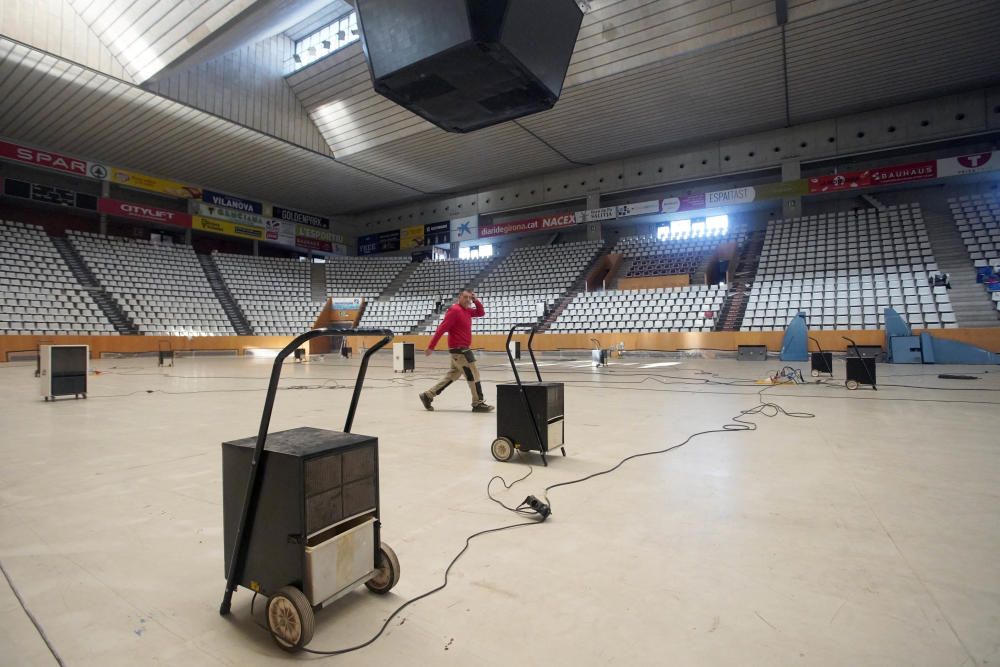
{"x":874,"y":54}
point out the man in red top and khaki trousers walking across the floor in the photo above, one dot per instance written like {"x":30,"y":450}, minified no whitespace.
{"x":457,"y":323}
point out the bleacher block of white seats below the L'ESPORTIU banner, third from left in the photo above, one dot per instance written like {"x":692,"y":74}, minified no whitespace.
{"x":274,"y":293}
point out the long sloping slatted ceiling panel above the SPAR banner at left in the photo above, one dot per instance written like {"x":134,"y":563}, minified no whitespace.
{"x":129,"y":127}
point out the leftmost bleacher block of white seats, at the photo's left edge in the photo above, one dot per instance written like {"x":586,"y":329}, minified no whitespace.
{"x":38,"y":293}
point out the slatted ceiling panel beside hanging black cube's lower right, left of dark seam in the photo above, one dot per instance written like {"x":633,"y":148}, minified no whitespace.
{"x":731,"y":88}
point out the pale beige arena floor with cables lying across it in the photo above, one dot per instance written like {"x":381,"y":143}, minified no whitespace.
{"x":866,"y":536}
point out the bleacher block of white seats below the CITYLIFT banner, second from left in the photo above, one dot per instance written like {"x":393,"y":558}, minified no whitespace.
{"x":160,"y":287}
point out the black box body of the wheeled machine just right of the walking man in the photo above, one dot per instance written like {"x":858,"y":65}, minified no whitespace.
{"x":514,"y":423}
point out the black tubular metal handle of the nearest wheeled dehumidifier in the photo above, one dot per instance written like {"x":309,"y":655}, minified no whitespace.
{"x":256,"y":463}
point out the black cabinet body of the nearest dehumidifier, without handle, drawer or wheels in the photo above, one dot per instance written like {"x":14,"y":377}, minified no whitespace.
{"x":312,"y":481}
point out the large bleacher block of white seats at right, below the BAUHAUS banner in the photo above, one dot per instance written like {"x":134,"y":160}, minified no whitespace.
{"x":844,"y":269}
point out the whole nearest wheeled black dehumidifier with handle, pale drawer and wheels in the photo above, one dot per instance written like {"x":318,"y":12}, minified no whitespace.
{"x":301,"y":517}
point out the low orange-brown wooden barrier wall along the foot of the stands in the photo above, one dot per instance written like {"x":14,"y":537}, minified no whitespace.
{"x":987,"y":338}
